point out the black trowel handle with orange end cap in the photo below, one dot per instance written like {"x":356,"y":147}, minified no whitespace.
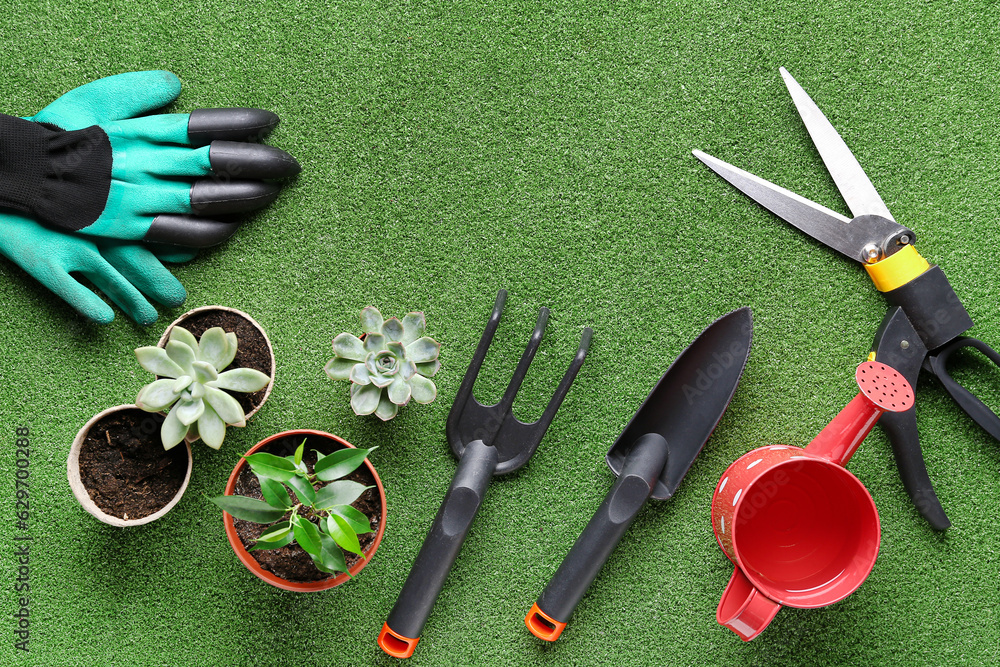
{"x":642,"y":469}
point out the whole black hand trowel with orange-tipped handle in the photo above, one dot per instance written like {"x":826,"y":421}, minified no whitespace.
{"x":650,"y":458}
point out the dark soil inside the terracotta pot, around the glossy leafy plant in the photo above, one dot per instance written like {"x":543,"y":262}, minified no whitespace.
{"x":292,"y":562}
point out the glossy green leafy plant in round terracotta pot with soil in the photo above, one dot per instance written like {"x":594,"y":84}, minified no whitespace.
{"x":304,"y":510}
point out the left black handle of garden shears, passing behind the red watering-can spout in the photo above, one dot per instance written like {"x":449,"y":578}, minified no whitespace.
{"x":898,"y":345}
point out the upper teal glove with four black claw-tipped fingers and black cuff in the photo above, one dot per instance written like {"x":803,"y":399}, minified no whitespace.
{"x":86,"y":164}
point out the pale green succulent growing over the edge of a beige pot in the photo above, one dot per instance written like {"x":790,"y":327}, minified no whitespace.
{"x":193,"y":386}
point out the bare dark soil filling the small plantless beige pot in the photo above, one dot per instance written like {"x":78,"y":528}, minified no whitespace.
{"x":124,"y":467}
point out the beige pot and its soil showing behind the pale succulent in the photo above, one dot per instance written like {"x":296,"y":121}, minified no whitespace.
{"x":254,"y":351}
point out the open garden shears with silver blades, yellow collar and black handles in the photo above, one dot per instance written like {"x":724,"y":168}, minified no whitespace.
{"x":925,"y":321}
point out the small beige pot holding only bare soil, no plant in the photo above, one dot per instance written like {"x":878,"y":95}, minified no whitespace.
{"x":142,"y":470}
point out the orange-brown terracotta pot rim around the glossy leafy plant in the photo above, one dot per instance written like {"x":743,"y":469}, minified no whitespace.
{"x":249,"y":561}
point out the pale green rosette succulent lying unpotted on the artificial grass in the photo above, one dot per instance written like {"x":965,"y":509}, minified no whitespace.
{"x":390,"y":366}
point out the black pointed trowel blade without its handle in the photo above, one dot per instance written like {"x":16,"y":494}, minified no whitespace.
{"x":690,"y":399}
